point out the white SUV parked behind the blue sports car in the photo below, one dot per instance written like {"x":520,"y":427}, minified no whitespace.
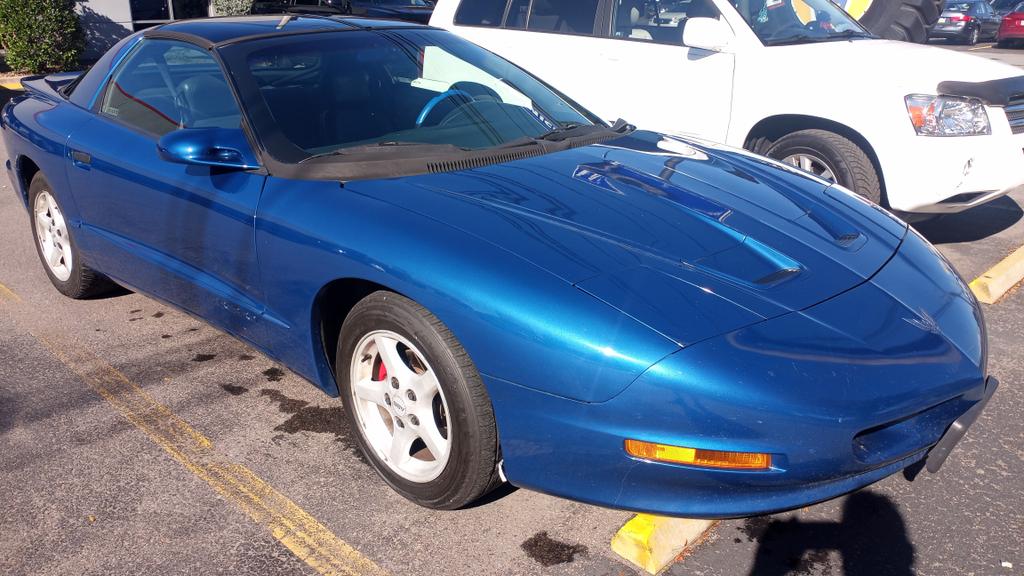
{"x":916,"y":129}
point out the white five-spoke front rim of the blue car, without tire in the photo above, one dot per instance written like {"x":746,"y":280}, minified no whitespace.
{"x":401,"y":407}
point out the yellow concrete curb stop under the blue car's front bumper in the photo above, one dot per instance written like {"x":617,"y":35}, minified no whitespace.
{"x":653,"y":543}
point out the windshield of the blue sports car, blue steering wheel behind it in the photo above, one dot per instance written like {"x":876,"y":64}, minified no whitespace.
{"x":330,"y":93}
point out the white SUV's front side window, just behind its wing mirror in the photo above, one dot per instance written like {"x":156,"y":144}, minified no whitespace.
{"x":660,"y":22}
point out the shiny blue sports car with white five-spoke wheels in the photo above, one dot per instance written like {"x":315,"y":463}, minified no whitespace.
{"x":497,"y":283}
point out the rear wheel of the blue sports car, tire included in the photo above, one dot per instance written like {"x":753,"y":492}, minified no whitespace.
{"x":58,"y":251}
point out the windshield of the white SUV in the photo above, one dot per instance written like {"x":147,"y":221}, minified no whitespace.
{"x":798,"y":22}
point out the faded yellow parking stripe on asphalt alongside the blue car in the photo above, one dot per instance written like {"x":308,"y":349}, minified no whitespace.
{"x":293,"y":527}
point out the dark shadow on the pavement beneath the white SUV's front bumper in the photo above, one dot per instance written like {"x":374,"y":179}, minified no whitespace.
{"x":972,"y":225}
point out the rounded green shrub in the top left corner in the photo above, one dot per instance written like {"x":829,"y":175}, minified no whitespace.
{"x":40,"y":35}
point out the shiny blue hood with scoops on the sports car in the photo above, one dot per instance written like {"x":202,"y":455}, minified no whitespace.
{"x":690,"y":239}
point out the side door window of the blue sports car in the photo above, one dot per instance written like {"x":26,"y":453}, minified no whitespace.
{"x":165,"y":86}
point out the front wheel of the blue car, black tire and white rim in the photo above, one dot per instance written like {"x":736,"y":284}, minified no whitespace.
{"x":422,"y":417}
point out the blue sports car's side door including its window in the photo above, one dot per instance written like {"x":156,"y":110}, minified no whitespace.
{"x":183,"y":233}
